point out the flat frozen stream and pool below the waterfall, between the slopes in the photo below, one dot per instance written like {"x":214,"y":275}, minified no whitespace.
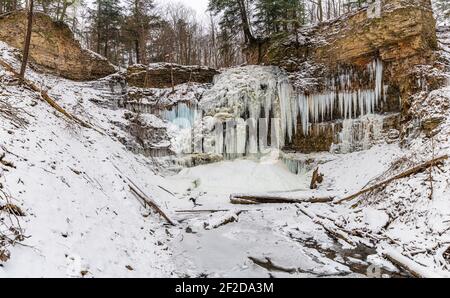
{"x":295,"y":245}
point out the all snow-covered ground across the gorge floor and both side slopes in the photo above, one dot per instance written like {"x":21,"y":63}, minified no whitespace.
{"x":73,"y":184}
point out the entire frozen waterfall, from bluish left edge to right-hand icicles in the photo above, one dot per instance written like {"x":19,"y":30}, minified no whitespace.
{"x":252,"y":109}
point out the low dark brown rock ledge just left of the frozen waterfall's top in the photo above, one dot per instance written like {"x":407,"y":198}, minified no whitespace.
{"x":160,"y":75}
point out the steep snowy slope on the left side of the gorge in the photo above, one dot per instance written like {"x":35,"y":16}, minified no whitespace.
{"x":80,"y":216}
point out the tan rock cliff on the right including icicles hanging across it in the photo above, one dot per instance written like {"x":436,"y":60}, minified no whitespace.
{"x":368,"y":62}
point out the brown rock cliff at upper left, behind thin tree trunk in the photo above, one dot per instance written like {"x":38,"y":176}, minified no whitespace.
{"x":54,"y":48}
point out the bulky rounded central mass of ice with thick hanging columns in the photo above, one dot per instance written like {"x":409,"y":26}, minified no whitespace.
{"x":253,"y":103}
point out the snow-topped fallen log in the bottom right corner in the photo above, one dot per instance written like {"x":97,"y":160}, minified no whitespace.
{"x":409,"y":265}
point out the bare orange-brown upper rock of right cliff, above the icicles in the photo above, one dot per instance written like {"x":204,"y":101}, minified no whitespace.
{"x":401,"y":33}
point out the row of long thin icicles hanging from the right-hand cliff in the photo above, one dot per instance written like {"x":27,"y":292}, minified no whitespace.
{"x":342,"y":99}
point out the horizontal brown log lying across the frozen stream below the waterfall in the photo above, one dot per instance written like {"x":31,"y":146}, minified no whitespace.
{"x":271,"y":199}
